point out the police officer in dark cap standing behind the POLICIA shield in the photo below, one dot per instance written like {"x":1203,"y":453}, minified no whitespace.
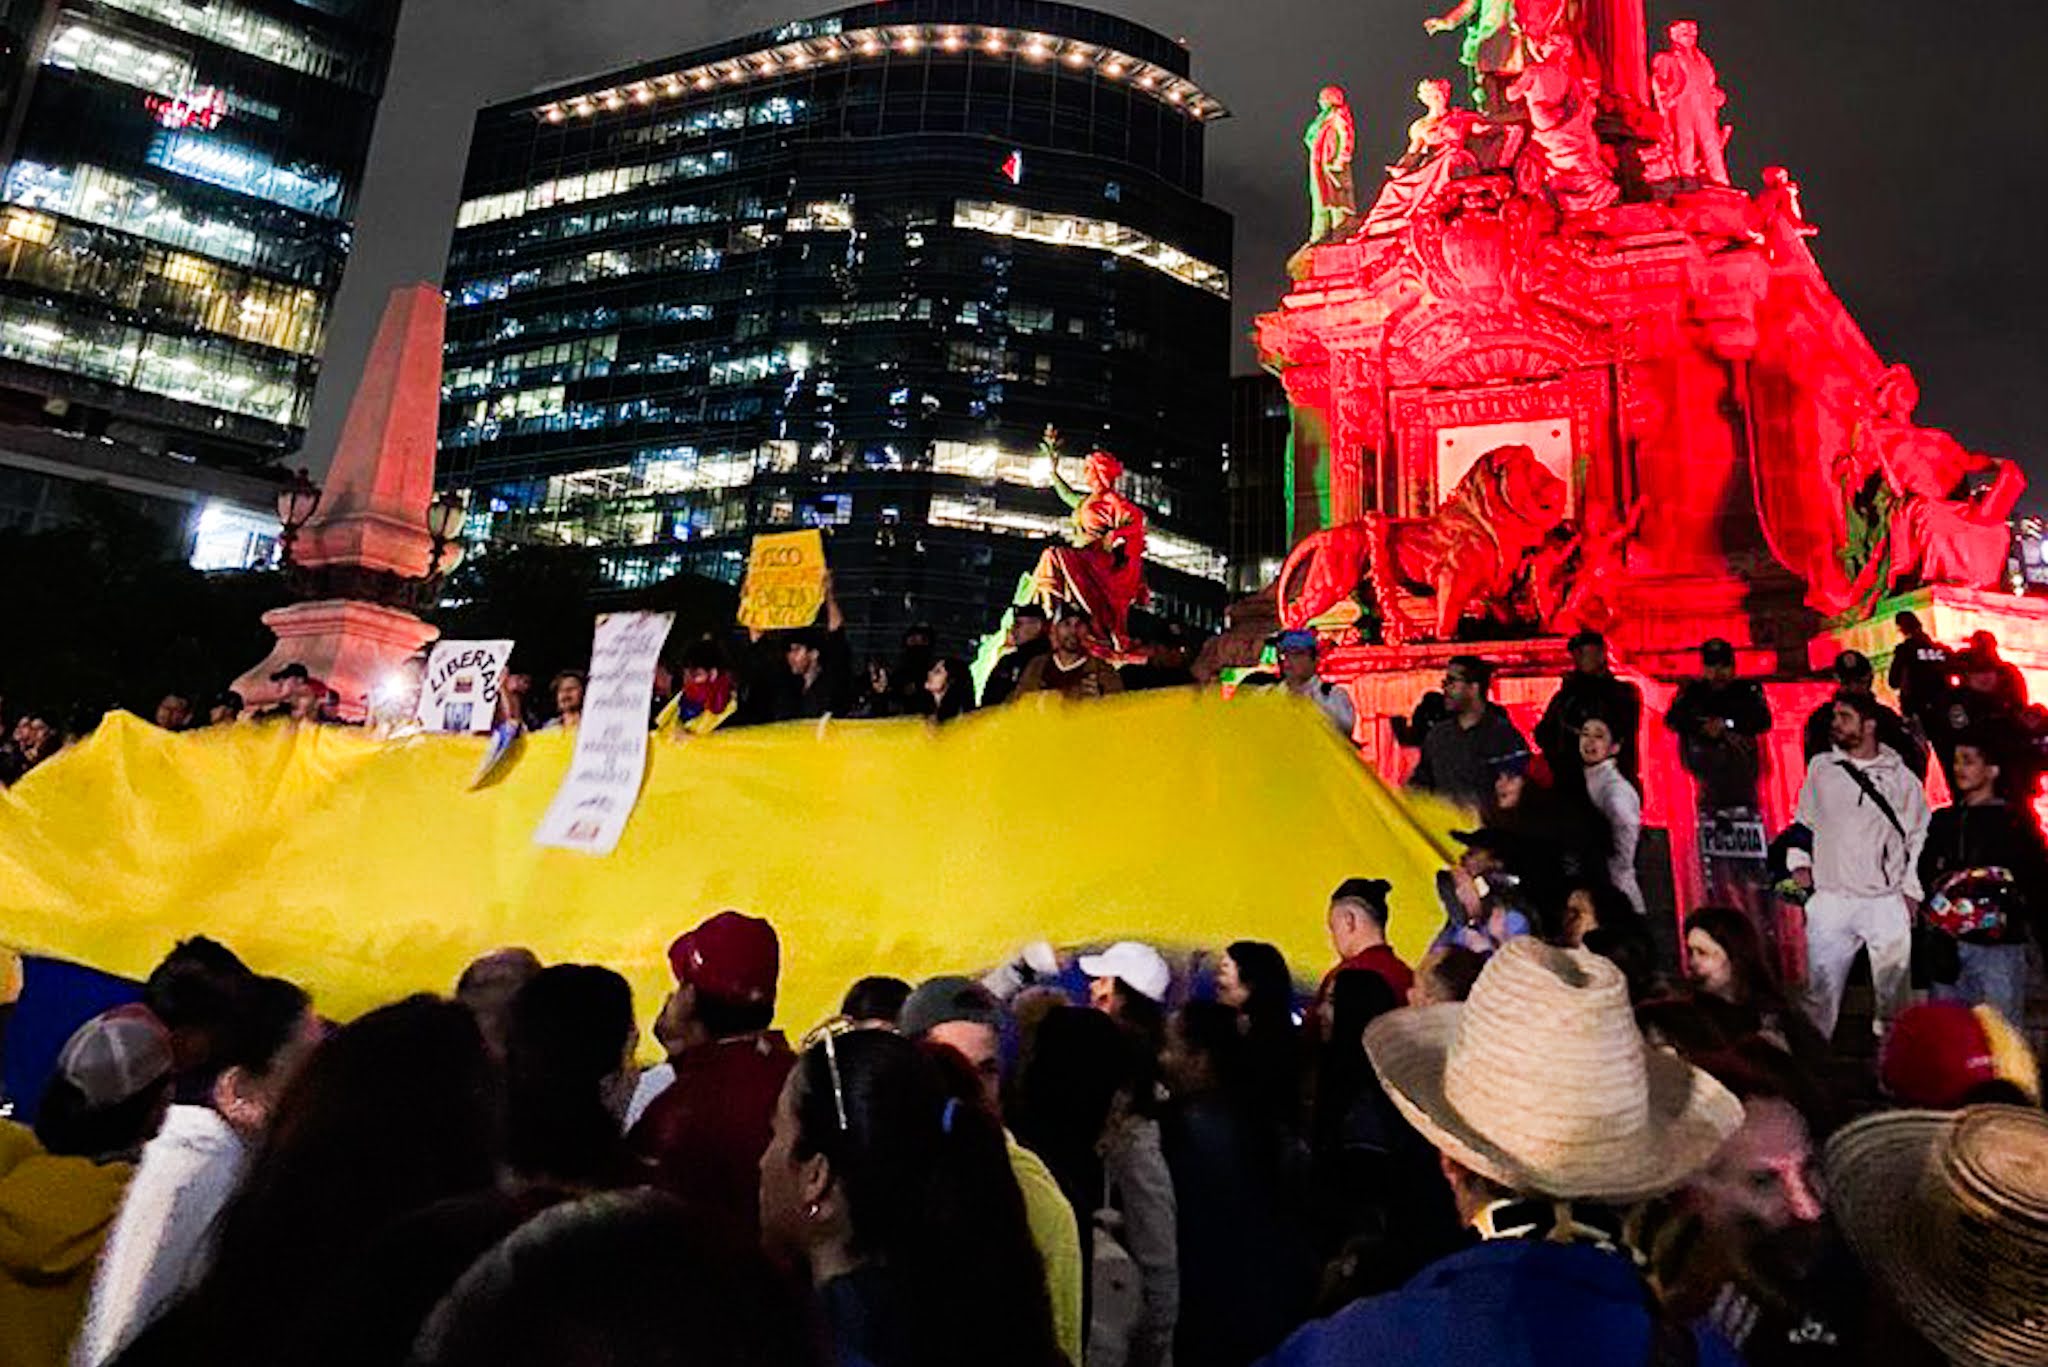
{"x":1717,"y":720}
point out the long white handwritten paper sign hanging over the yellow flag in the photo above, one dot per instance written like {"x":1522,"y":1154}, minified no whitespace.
{"x":611,"y":745}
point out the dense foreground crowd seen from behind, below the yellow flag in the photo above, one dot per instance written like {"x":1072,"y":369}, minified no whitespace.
{"x":1535,"y":1143}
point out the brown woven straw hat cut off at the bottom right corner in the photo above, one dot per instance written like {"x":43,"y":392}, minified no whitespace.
{"x":1951,"y":1210}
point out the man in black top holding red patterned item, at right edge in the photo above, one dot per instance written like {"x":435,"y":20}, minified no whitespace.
{"x":1986,"y":874}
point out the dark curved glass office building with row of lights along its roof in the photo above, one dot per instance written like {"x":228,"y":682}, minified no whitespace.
{"x":843,"y":276}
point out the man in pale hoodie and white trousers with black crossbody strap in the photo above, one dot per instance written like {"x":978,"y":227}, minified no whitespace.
{"x":1869,"y":821}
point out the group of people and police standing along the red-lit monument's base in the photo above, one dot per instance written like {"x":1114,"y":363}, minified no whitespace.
{"x":1949,"y":901}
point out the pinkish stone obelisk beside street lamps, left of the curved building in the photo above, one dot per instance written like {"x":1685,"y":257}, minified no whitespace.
{"x":370,"y":548}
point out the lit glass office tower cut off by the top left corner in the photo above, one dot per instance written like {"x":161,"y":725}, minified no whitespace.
{"x":175,"y":214}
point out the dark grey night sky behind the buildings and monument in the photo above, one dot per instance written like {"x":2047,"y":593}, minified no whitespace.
{"x":1918,"y":130}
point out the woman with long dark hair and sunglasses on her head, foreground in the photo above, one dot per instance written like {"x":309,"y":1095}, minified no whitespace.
{"x":888,"y":1182}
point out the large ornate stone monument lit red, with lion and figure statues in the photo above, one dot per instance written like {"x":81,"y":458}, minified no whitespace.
{"x":1564,"y":374}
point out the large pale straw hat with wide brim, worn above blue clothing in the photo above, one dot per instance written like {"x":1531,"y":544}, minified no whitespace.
{"x":1543,"y":1083}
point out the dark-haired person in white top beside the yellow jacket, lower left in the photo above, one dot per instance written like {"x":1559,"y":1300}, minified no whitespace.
{"x":163,"y":1239}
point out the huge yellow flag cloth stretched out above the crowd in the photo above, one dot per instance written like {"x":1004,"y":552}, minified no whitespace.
{"x":368,"y":870}
